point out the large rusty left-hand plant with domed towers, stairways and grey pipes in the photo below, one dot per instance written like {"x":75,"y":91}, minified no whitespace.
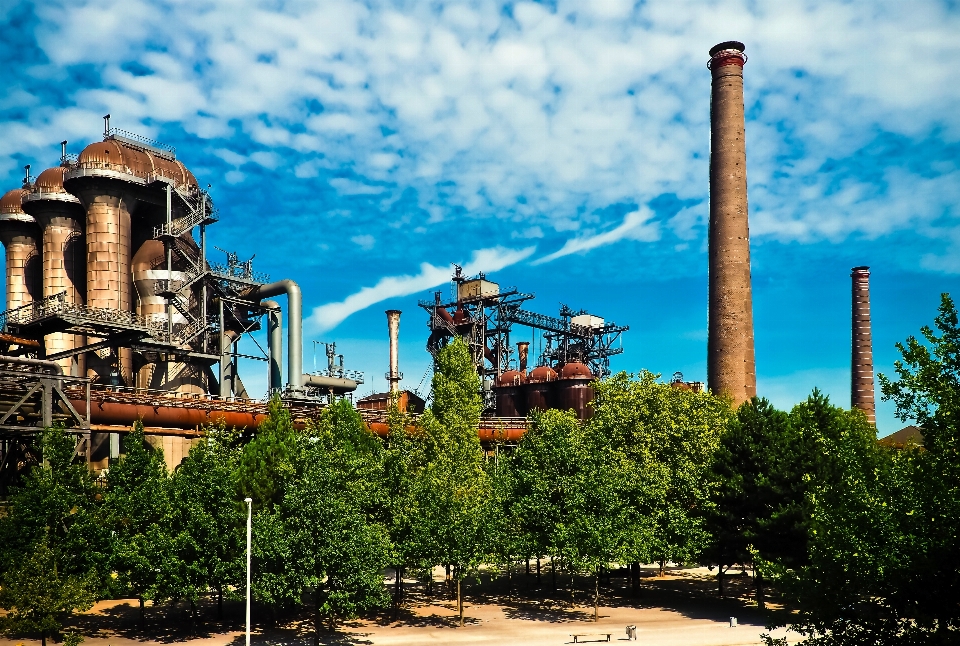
{"x":115,"y":312}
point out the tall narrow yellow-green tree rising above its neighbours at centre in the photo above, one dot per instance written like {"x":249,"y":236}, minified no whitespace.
{"x":454,"y":486}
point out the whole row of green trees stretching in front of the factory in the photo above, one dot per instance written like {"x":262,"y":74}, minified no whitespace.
{"x":860,"y":538}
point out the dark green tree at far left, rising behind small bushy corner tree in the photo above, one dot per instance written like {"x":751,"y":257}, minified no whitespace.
{"x":59,"y":504}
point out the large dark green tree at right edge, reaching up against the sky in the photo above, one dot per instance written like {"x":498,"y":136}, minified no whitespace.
{"x":884,"y":524}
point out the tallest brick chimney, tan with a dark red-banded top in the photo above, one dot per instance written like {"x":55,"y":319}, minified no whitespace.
{"x":730,"y":355}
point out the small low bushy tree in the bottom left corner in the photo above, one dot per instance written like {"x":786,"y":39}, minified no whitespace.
{"x":38,"y":597}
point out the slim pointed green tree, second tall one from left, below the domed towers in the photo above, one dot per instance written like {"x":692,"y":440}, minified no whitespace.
{"x":138,"y":501}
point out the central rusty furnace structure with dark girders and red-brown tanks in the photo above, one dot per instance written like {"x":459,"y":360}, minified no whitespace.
{"x":576,"y":347}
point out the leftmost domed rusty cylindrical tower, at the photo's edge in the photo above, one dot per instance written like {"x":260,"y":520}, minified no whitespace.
{"x":20,"y":235}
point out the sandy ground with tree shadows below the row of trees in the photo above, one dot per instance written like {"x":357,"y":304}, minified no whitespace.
{"x":674,"y":610}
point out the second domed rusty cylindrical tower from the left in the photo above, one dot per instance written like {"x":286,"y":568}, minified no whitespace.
{"x":61,"y":218}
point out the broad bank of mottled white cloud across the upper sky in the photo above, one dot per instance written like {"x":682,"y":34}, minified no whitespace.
{"x":576,"y":109}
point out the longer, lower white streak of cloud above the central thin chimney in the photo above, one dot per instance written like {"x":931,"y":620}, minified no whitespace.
{"x":329,"y":316}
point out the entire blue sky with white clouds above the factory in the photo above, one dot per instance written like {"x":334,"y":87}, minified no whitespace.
{"x":360,"y":148}
